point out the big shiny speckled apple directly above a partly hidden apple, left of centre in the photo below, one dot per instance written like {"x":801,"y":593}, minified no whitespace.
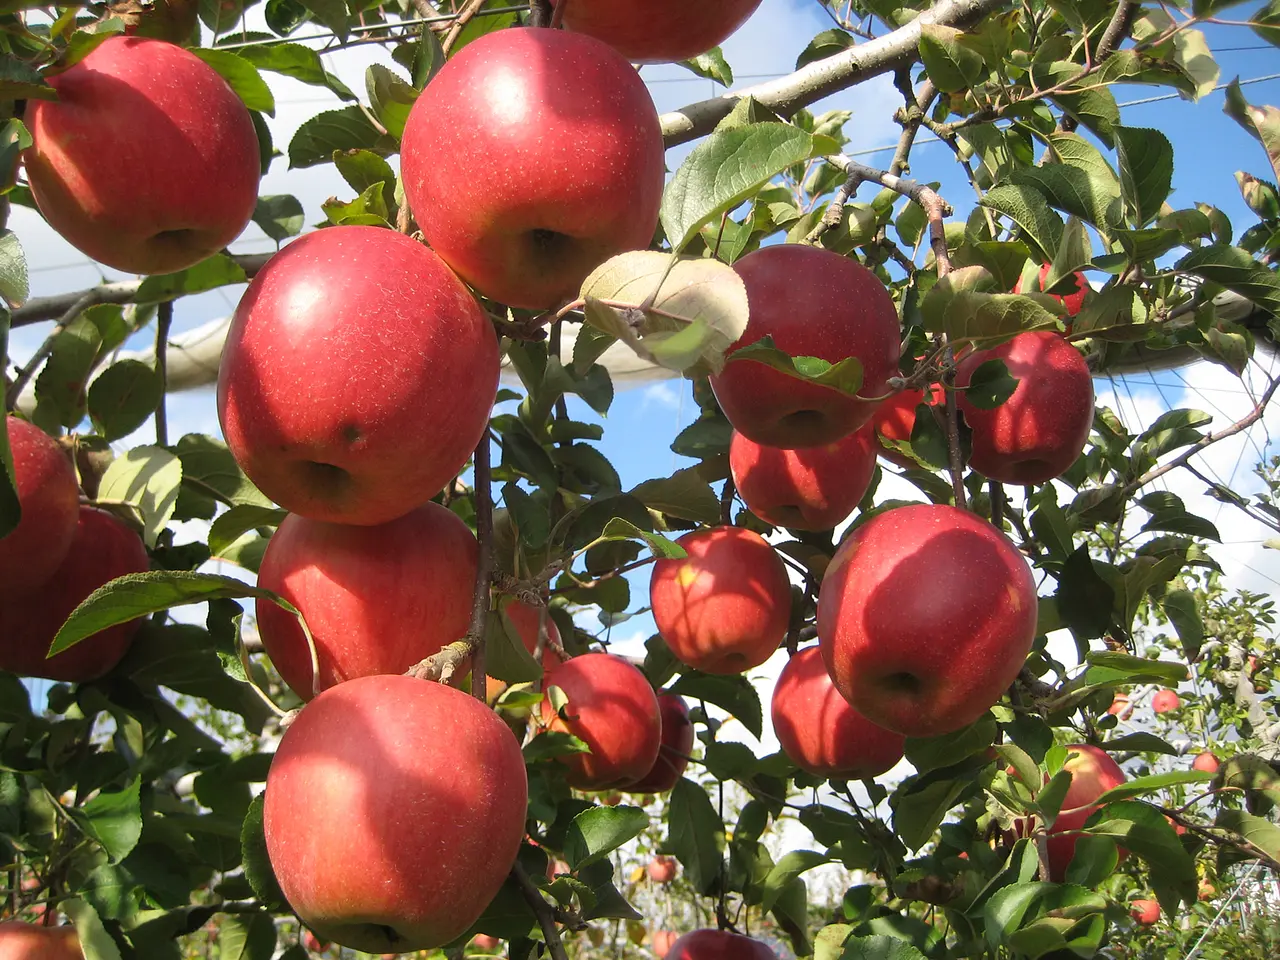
{"x":358,"y":377}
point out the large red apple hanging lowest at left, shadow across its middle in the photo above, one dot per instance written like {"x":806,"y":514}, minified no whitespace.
{"x":395,"y":811}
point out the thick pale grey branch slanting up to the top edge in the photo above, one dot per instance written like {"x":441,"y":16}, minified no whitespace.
{"x":828,"y":76}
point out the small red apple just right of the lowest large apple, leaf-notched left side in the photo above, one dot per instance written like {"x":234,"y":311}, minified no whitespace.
{"x":614,"y":711}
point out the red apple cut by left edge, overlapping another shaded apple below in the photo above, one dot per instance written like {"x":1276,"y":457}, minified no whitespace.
{"x":49,"y":497}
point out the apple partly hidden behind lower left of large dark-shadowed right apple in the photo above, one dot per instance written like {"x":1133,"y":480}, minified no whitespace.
{"x":821,"y":733}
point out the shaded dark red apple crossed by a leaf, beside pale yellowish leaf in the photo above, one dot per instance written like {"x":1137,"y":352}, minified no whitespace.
{"x":813,"y":304}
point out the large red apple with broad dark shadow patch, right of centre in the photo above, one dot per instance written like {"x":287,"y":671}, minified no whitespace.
{"x":926,"y":615}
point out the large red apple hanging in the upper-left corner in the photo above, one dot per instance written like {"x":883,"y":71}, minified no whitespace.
{"x":148,"y":162}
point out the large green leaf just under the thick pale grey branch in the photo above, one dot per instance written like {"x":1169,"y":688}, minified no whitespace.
{"x":728,"y":168}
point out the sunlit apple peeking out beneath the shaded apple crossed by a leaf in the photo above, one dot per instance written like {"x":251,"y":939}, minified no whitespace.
{"x":812,"y":488}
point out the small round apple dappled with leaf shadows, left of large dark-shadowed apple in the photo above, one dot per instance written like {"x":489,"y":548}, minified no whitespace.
{"x":725,"y":607}
